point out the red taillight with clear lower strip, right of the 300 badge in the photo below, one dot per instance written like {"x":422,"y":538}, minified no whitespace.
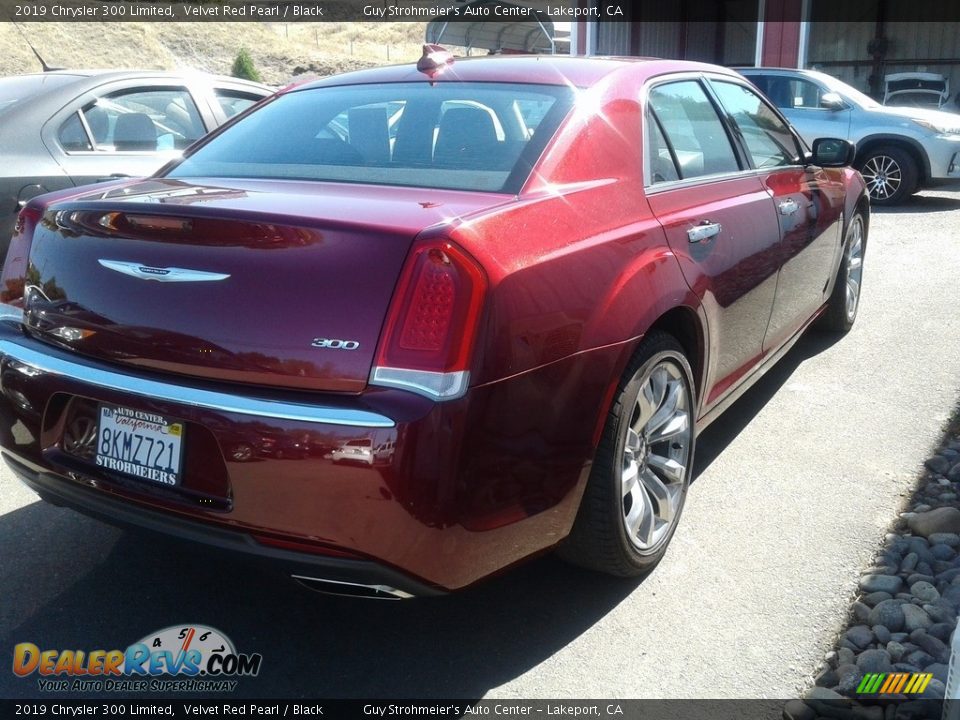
{"x":432,"y":323}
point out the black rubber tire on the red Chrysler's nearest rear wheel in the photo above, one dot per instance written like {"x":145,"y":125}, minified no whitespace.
{"x":600,"y":540}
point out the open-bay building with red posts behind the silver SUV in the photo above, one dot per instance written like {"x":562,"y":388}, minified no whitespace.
{"x":858,"y":41}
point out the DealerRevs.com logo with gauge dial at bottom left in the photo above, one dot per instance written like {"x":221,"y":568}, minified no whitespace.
{"x":180,"y":658}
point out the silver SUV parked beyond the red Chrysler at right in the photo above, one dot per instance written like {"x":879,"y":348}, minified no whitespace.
{"x":899,"y":149}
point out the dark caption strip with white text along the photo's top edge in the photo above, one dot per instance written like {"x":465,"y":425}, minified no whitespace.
{"x":878,"y":11}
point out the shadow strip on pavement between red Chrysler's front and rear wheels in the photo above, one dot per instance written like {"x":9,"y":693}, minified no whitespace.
{"x":714,"y":440}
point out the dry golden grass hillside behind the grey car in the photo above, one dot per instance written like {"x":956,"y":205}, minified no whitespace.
{"x":279,"y":50}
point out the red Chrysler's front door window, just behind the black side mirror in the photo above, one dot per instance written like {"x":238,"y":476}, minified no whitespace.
{"x":768,"y":140}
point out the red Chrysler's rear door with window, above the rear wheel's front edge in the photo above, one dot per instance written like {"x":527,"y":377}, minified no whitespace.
{"x":719,"y":222}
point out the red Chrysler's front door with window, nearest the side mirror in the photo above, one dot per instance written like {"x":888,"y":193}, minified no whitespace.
{"x":807,"y":205}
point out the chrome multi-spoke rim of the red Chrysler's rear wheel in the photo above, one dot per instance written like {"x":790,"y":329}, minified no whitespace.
{"x":656,"y":456}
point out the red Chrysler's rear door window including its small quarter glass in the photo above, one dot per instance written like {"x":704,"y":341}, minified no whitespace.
{"x":695,"y":132}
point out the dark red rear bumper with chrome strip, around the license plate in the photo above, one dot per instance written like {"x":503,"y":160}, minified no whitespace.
{"x":456,"y":491}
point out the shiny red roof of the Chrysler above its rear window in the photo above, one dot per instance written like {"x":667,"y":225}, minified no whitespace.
{"x":525,"y":69}
